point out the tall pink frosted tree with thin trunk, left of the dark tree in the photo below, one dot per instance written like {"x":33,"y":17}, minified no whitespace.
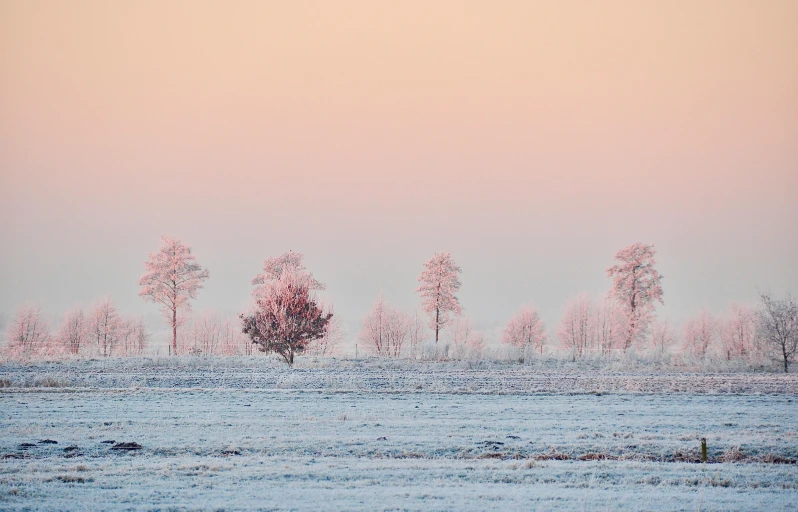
{"x":172,"y":278}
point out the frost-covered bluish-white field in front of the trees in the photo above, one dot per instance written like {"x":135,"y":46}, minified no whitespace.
{"x":371,"y":435}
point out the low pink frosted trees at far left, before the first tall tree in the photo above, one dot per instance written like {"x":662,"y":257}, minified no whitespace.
{"x":100,"y":331}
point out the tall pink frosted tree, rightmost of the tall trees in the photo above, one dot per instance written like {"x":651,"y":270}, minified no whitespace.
{"x":636,"y":286}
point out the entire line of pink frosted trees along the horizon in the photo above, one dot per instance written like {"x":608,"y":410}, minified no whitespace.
{"x":287,"y":318}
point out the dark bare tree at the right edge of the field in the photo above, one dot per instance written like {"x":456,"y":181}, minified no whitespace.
{"x":778,"y":328}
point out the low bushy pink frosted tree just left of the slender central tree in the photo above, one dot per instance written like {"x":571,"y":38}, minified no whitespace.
{"x":385,"y":329}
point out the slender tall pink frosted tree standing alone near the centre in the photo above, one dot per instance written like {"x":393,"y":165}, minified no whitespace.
{"x":439,"y":283}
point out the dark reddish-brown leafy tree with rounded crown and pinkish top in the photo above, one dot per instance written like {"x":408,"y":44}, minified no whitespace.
{"x":287,"y":317}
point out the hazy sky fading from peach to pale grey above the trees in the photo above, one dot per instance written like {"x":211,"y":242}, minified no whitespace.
{"x":529,"y":139}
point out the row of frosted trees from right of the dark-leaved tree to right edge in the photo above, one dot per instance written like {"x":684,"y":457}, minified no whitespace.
{"x":623,"y":320}
